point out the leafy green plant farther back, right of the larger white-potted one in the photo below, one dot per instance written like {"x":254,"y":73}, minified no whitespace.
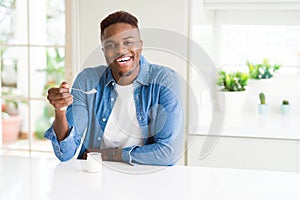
{"x":262,"y":70}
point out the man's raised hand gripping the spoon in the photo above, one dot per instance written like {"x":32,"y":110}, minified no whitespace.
{"x":60,"y":97}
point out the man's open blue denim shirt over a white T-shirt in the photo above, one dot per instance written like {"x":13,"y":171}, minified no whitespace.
{"x":159,"y":112}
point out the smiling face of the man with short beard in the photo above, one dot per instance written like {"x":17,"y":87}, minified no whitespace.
{"x":122,"y":49}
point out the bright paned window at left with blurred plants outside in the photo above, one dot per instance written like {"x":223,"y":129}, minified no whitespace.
{"x":33,"y":58}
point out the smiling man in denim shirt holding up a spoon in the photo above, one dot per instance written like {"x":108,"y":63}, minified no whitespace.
{"x":136,"y":116}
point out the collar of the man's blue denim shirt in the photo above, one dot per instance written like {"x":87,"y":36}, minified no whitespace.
{"x":143,"y":77}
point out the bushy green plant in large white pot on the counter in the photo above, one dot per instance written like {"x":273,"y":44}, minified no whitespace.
{"x":232,"y":91}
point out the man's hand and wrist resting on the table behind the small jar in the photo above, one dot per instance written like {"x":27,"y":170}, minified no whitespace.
{"x":111,"y":154}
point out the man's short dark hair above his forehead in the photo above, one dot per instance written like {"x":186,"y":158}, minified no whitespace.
{"x":118,"y":17}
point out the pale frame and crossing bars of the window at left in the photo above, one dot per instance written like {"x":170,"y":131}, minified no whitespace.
{"x":70,"y":9}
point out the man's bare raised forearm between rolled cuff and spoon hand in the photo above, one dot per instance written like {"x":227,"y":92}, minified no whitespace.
{"x":60,"y":125}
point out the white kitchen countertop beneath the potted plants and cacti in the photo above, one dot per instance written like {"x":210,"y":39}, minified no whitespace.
{"x":253,"y":125}
